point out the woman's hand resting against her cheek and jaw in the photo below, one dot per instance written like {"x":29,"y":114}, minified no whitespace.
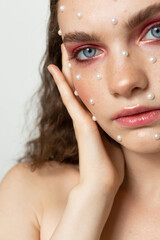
{"x":101,"y":163}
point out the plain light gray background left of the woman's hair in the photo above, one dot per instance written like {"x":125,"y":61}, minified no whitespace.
{"x":22,"y":44}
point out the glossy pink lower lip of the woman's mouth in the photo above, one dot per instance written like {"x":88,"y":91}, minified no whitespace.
{"x":139,"y":119}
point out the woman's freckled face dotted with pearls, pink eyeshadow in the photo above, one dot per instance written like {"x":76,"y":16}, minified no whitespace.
{"x":95,"y":42}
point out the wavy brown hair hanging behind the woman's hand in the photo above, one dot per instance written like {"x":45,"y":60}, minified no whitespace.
{"x":56,"y":140}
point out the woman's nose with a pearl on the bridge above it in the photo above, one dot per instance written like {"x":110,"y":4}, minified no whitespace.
{"x":127,"y":80}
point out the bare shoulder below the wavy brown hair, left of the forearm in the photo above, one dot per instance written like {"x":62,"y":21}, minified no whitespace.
{"x":25,"y":195}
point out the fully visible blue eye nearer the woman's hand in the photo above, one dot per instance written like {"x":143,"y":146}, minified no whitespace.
{"x":88,"y":53}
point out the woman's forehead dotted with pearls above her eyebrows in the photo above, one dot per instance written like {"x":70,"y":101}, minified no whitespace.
{"x":97,"y":13}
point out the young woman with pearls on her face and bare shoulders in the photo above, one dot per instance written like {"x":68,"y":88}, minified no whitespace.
{"x":96,"y":163}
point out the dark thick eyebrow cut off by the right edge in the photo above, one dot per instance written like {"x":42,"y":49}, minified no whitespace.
{"x":141,"y":16}
